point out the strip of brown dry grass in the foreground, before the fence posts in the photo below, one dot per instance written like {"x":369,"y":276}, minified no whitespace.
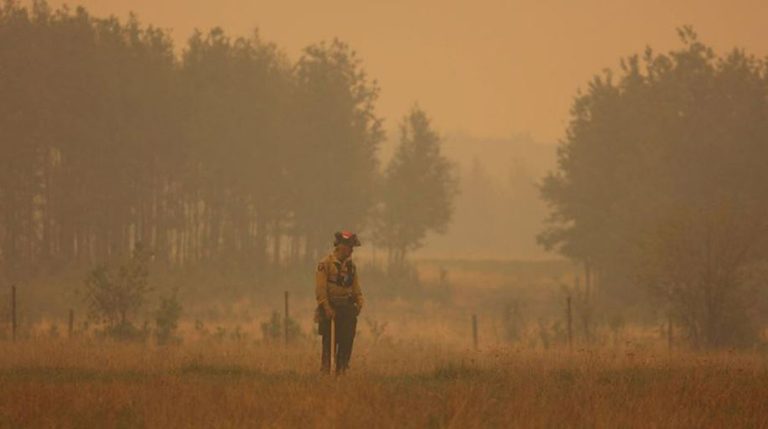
{"x":226,"y":384}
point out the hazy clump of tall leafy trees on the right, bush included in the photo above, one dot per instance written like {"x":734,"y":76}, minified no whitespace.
{"x":661,"y":187}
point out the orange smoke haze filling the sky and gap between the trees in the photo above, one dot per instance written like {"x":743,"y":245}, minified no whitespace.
{"x":487,"y":73}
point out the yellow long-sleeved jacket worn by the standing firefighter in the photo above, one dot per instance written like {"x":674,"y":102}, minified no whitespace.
{"x":337,"y":281}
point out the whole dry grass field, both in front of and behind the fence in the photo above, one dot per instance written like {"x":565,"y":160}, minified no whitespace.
{"x":418,"y":372}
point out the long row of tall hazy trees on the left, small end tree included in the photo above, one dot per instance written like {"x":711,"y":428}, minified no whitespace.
{"x":227,"y":153}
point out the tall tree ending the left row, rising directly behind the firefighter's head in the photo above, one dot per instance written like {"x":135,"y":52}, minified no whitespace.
{"x":335,"y":176}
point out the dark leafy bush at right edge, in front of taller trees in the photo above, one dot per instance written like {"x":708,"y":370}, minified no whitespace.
{"x":708,"y":265}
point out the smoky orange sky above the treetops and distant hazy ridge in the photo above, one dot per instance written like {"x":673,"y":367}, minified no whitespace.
{"x":490,"y":68}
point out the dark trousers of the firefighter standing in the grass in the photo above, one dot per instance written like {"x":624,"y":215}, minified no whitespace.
{"x":346,"y":325}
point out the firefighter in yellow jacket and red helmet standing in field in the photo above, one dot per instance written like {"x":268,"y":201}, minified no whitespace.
{"x":339,"y":298}
